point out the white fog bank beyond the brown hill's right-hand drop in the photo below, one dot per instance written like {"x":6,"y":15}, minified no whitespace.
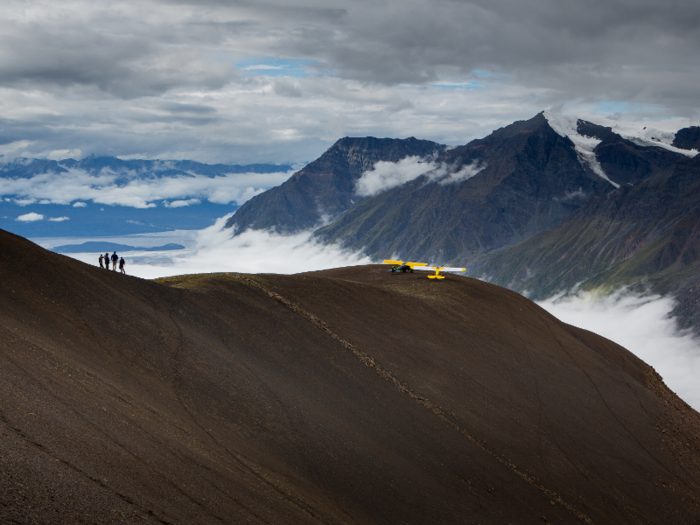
{"x":642,"y":325}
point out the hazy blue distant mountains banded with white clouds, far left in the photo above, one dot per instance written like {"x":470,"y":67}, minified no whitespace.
{"x":101,"y":196}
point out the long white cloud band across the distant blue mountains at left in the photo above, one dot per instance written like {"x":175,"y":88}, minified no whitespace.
{"x":130,"y":189}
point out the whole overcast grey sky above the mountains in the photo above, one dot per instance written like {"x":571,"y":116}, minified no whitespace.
{"x":241,"y":81}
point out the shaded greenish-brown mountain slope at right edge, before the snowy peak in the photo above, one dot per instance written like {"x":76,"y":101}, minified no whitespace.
{"x":646,"y":236}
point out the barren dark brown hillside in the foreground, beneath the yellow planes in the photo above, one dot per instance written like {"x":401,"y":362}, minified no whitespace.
{"x":344,"y":396}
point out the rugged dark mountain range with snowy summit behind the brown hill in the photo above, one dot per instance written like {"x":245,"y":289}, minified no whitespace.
{"x":540,"y":206}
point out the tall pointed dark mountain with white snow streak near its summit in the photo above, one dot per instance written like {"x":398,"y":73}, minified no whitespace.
{"x":529,"y":177}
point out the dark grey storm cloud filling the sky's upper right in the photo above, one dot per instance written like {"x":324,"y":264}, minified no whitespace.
{"x":611,"y":48}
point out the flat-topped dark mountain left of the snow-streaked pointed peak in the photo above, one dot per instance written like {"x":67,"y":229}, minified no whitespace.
{"x":325,"y":189}
